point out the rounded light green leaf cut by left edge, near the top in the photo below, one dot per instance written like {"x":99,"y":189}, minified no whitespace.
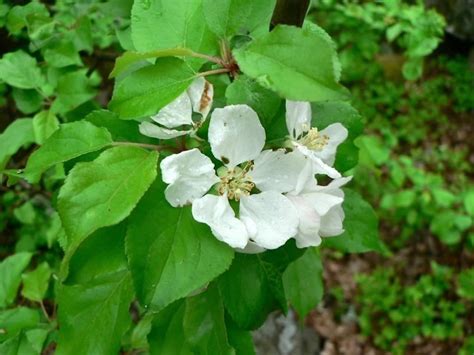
{"x":20,"y":70}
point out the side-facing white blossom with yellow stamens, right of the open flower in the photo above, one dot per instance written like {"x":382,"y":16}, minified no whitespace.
{"x":319,"y":146}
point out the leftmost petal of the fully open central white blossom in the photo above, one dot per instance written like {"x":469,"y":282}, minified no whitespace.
{"x":190,"y":175}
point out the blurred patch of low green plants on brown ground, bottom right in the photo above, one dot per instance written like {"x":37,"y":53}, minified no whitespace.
{"x":421,"y":309}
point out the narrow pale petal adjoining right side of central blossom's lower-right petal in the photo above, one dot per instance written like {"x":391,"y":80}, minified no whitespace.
{"x":309,"y":223}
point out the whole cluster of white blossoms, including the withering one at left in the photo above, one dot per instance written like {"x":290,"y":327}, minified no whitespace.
{"x":257,"y":198}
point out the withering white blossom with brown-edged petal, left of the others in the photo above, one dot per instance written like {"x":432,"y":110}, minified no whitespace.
{"x":179,"y":113}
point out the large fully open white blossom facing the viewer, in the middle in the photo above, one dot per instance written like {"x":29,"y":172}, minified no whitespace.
{"x":265,"y":220}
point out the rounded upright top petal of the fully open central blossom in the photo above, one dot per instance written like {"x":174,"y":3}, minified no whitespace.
{"x":235,"y":134}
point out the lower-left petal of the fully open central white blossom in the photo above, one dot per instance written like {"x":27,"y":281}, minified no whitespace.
{"x":216,"y":212}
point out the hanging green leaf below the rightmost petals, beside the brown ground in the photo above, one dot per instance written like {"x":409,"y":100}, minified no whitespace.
{"x":303,"y":282}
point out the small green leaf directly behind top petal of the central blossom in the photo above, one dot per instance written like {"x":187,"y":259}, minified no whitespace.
{"x":247,"y":91}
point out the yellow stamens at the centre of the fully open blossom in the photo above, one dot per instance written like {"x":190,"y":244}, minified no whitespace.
{"x":235,"y":182}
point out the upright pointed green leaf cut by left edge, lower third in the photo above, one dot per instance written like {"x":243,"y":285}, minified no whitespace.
{"x":10,"y":274}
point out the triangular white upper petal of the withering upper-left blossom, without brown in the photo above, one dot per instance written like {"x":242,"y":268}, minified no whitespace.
{"x":177,"y":113}
